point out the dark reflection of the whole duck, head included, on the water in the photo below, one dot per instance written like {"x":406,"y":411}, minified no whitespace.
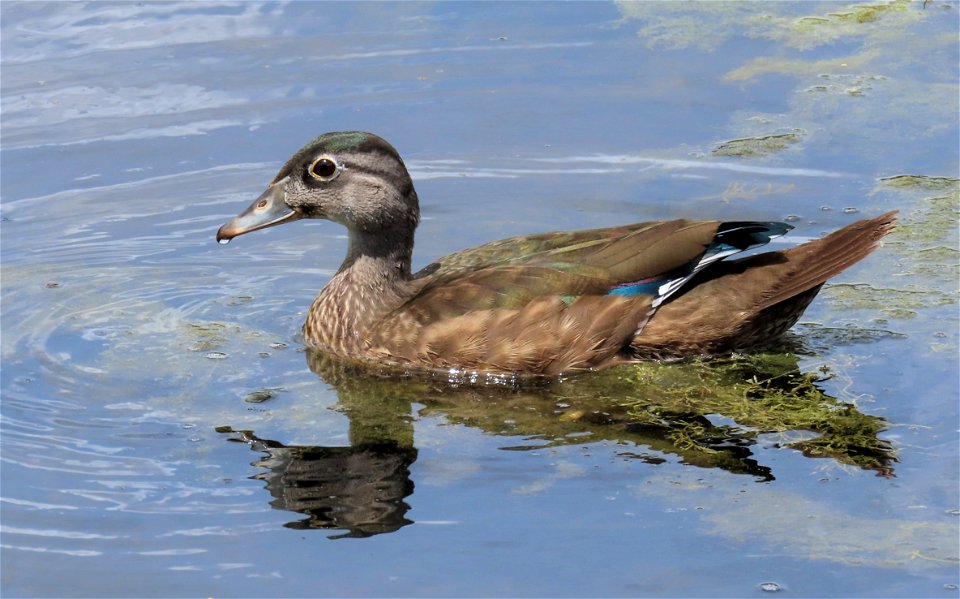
{"x":654,"y":409}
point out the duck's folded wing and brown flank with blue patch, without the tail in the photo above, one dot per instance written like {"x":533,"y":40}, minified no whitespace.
{"x":557,"y":302}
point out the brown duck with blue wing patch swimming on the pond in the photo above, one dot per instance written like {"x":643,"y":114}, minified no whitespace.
{"x":544,"y":304}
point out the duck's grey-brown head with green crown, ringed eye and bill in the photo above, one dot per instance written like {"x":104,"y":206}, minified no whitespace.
{"x":353,"y":178}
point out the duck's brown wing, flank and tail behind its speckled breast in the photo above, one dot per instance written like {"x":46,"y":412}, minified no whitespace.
{"x":548,"y":304}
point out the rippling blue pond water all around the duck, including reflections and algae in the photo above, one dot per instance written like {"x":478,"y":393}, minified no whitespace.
{"x":165,"y":434}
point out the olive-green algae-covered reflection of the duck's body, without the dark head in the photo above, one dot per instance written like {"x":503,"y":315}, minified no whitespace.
{"x":670,"y":409}
